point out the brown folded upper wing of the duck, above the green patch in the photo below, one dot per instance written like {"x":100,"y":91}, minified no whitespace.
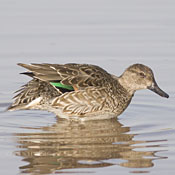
{"x":80,"y":75}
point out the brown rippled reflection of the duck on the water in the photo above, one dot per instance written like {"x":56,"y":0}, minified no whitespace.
{"x":93,"y":144}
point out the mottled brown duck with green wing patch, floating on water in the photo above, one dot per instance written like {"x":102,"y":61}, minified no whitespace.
{"x":81,"y":90}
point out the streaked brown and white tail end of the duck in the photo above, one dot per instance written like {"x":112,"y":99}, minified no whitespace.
{"x":29,"y":95}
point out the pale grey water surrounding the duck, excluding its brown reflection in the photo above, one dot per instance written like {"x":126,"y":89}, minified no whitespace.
{"x":111,"y":34}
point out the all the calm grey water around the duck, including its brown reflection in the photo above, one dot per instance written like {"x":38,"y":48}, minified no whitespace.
{"x":113,"y":35}
